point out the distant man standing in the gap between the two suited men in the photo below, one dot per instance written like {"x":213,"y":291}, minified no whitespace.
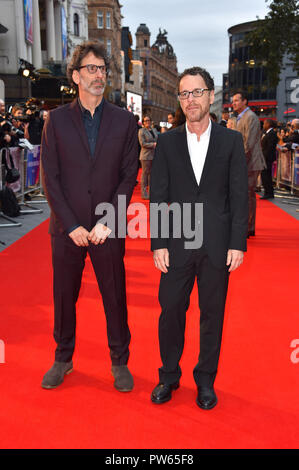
{"x":148,"y":139}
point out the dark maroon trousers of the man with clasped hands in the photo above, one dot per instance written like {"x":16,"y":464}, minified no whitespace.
{"x":68,"y":263}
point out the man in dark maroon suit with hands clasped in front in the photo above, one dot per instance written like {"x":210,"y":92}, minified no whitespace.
{"x":89,"y":157}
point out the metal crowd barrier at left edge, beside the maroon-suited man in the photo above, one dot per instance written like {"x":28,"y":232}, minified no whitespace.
{"x":29,"y":186}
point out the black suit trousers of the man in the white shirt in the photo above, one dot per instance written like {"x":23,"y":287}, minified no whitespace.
{"x":174,"y":297}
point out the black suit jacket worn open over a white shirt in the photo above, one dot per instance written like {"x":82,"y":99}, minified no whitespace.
{"x":223,"y":190}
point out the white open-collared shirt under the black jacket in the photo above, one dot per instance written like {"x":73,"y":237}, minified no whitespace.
{"x":198,"y":149}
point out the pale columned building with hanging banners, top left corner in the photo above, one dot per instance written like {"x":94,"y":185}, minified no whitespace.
{"x":40,"y":35}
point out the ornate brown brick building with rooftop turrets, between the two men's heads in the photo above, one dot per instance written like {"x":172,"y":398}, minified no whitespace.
{"x":159,"y":74}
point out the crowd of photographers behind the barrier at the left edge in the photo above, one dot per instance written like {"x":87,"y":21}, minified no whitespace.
{"x":21,"y":121}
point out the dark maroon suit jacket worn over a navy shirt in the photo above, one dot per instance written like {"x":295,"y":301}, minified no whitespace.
{"x":76,"y":182}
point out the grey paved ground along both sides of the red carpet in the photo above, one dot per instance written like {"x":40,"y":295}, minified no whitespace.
{"x":29,"y":221}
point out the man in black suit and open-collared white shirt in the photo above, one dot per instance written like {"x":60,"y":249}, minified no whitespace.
{"x":198,"y":164}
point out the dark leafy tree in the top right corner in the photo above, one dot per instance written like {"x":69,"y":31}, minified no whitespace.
{"x":275,"y":37}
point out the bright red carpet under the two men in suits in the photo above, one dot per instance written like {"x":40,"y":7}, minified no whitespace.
{"x":257,"y":384}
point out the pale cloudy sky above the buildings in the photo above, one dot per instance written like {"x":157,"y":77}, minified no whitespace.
{"x":197,"y":29}
